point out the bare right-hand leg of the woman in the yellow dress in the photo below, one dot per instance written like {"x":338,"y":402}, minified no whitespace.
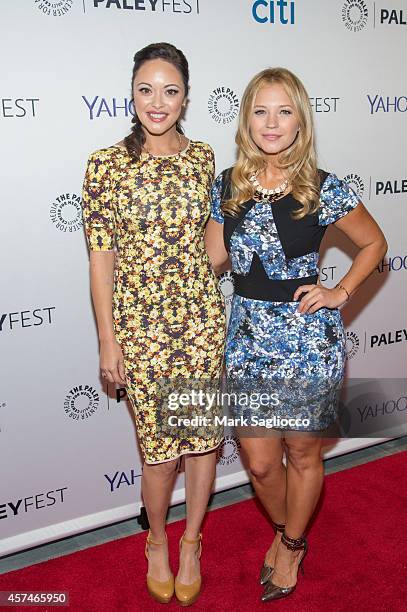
{"x":199,"y":478}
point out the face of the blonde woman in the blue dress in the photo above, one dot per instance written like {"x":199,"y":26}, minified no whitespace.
{"x":273,"y":122}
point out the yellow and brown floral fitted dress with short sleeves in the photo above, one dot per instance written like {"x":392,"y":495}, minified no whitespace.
{"x":168,"y":313}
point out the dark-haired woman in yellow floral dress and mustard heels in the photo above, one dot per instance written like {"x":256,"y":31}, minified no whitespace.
{"x":160,"y":314}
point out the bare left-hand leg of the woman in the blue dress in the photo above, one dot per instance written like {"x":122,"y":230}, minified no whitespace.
{"x":268,"y":475}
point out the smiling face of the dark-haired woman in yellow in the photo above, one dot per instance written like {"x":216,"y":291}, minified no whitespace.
{"x":159,"y":94}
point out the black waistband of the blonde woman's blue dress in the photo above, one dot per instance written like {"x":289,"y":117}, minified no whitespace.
{"x":270,"y":290}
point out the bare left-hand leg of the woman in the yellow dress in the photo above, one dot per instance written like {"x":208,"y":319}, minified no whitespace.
{"x":157,"y":484}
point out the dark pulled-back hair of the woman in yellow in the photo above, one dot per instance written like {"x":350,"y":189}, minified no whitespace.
{"x":135,"y":140}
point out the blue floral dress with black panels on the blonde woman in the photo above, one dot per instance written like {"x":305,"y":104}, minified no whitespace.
{"x":296,"y":359}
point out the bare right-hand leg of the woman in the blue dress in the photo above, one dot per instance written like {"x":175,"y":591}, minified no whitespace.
{"x":305,"y":473}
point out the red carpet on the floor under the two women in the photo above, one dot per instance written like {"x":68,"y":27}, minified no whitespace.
{"x":357,"y":557}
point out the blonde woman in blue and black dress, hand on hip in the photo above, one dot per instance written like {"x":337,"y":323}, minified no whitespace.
{"x":270,"y":213}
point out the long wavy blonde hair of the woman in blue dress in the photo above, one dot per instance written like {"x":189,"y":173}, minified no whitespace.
{"x":299,"y":160}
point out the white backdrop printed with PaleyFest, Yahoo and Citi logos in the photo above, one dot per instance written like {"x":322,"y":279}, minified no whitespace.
{"x":69,"y":460}
